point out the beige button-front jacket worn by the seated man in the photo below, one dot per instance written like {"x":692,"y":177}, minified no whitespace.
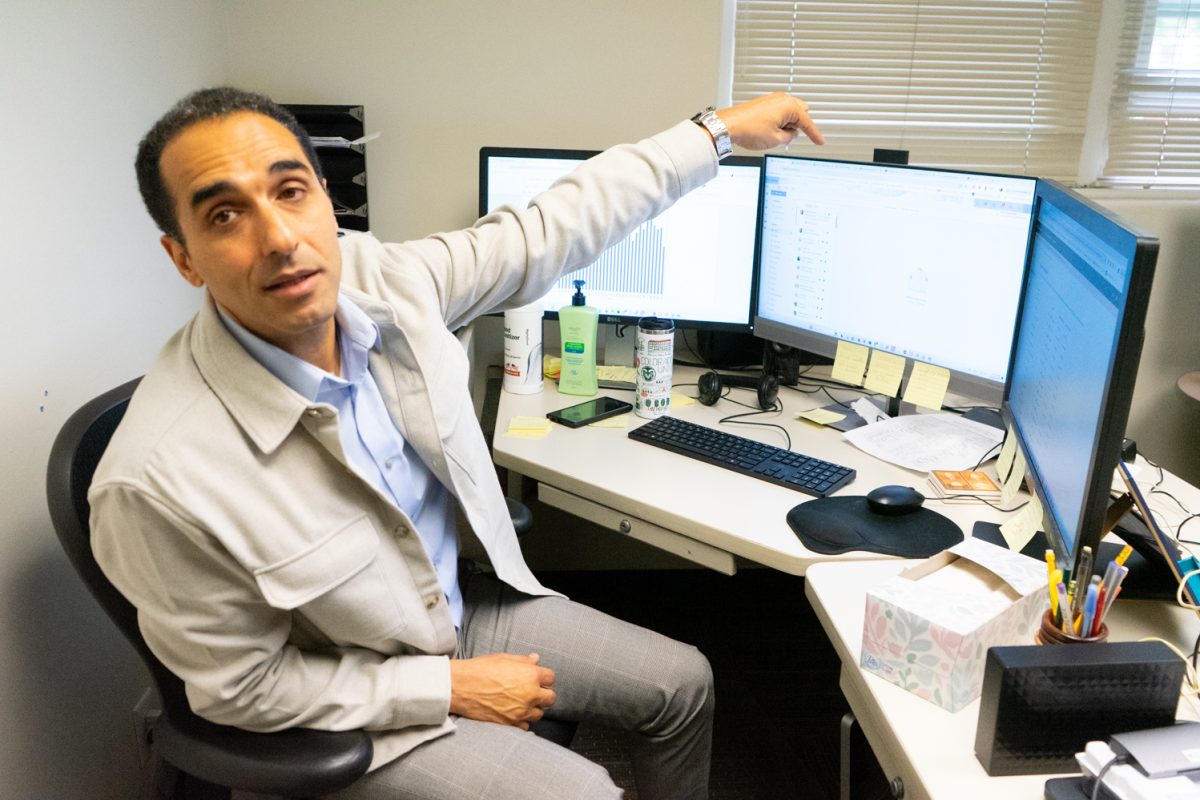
{"x":268,"y":575}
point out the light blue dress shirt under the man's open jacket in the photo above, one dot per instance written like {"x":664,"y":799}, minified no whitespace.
{"x":370,"y":438}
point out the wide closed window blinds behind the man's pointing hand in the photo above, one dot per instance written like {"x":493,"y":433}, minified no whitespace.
{"x":998,"y":86}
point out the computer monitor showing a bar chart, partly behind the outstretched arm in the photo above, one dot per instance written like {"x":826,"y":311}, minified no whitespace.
{"x":694,"y":263}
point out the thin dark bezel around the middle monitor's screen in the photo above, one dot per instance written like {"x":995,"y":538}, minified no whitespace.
{"x":823,"y":345}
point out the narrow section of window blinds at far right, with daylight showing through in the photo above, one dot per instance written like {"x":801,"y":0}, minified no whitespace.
{"x":1155,"y":118}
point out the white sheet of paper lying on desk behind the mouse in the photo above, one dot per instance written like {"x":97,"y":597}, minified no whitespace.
{"x":927,"y":442}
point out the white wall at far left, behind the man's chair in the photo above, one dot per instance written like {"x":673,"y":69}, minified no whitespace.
{"x":89,"y":298}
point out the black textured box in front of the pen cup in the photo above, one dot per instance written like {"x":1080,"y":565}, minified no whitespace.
{"x":1042,"y":705}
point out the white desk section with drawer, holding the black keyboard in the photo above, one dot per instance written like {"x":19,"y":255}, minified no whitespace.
{"x":694,"y":510}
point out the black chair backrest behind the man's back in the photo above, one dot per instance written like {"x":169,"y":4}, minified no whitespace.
{"x":74,"y":459}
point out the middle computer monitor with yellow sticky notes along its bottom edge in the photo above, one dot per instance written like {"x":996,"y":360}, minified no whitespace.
{"x":916,"y":262}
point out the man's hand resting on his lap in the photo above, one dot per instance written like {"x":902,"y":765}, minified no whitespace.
{"x":501,"y":688}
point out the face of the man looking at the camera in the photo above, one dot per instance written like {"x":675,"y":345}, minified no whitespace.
{"x":259,"y":226}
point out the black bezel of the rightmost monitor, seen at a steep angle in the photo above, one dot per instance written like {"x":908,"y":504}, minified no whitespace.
{"x":1142,"y":249}
